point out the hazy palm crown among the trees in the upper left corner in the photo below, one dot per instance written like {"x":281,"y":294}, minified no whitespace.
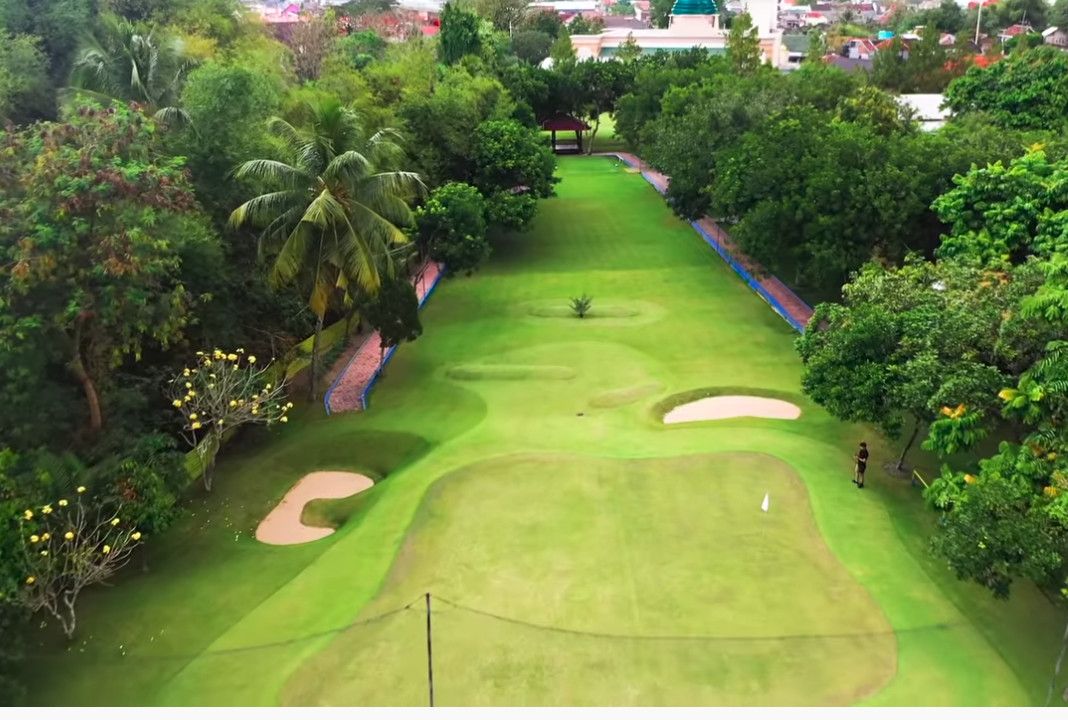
{"x":124,"y":61}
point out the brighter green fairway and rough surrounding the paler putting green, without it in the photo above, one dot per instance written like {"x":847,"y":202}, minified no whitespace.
{"x":241,"y":620}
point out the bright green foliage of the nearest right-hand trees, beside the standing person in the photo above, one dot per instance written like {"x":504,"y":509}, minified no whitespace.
{"x":972,"y":345}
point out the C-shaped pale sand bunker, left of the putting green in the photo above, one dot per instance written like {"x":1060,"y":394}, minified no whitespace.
{"x":284,"y":527}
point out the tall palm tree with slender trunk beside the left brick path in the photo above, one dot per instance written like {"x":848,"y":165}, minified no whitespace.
{"x":332,"y":220}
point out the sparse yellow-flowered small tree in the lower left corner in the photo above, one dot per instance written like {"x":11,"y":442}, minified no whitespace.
{"x":68,"y":546}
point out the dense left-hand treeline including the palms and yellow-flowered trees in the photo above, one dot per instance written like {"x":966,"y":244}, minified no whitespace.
{"x":184,"y":200}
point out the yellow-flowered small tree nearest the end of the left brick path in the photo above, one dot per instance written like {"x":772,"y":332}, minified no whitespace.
{"x":223,"y":392}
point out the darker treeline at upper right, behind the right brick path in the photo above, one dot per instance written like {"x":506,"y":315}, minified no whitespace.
{"x":816,"y":171}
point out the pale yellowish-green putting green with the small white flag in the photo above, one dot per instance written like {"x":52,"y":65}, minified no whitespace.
{"x":656,"y":582}
